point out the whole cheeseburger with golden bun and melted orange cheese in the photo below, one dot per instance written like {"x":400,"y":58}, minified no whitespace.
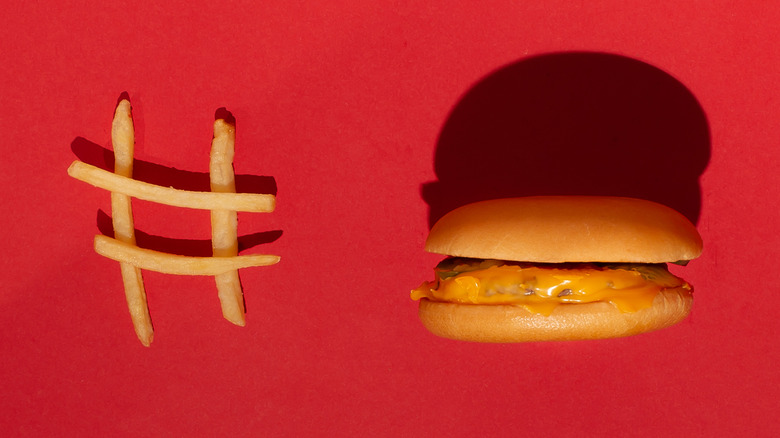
{"x":553,"y":268}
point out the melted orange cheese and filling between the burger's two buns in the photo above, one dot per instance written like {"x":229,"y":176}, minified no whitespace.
{"x":540,"y":288}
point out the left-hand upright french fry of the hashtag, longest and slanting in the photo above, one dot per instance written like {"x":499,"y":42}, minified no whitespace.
{"x":123,"y":141}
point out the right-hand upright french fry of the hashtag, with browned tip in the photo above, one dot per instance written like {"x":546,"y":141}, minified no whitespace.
{"x":224,"y":223}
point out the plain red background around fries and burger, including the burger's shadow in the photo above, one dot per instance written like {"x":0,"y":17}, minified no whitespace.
{"x":352,"y":109}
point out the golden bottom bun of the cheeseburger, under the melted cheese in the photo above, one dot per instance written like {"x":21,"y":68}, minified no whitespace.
{"x":504,"y":323}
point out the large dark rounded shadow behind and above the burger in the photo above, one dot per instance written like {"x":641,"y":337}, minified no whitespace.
{"x":572,"y":124}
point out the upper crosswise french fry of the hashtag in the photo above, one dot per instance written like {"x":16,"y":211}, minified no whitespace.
{"x":249,"y":202}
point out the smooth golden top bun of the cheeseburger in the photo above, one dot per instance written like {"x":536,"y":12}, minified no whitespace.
{"x":558,"y":229}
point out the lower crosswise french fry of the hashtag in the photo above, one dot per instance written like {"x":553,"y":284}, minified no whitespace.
{"x":151,"y":260}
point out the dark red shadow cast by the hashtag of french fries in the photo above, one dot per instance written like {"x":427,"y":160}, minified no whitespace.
{"x":101,"y":157}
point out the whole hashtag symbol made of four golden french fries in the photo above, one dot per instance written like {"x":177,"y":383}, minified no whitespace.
{"x":222,"y":201}
